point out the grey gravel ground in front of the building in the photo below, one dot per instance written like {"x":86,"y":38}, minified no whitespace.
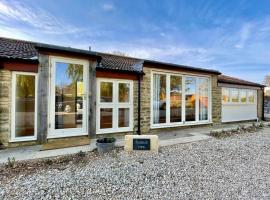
{"x":237,"y":167}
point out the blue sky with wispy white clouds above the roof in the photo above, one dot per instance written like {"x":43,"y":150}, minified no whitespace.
{"x":232,"y":36}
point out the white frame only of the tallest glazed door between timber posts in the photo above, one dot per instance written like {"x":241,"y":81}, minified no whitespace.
{"x":59,"y":133}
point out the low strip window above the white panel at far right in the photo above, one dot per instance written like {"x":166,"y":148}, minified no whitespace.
{"x":238,"y":96}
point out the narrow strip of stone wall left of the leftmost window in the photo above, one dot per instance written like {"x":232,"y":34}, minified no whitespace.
{"x":5,"y":106}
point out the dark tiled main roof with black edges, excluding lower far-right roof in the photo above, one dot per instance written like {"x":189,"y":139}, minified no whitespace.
{"x":19,"y":49}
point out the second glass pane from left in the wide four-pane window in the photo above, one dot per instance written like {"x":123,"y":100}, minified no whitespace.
{"x":176,"y":99}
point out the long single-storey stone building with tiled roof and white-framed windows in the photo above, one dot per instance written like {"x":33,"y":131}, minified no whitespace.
{"x":49,"y":92}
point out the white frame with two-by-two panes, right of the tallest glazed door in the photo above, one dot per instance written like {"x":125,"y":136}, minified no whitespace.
{"x":115,"y":105}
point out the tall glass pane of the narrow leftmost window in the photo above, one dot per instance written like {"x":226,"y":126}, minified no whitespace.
{"x":25,"y":106}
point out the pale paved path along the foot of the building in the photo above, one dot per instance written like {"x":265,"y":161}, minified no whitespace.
{"x":166,"y":138}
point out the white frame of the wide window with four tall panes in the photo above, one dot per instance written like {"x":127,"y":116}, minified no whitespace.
{"x":183,"y":122}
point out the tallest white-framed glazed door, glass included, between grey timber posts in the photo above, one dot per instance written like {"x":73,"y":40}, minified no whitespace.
{"x":68,"y":97}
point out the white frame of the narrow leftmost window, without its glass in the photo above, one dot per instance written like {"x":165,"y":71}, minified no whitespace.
{"x":13,"y":108}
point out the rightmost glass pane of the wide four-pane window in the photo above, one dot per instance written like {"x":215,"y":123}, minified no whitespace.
{"x":203,"y":99}
